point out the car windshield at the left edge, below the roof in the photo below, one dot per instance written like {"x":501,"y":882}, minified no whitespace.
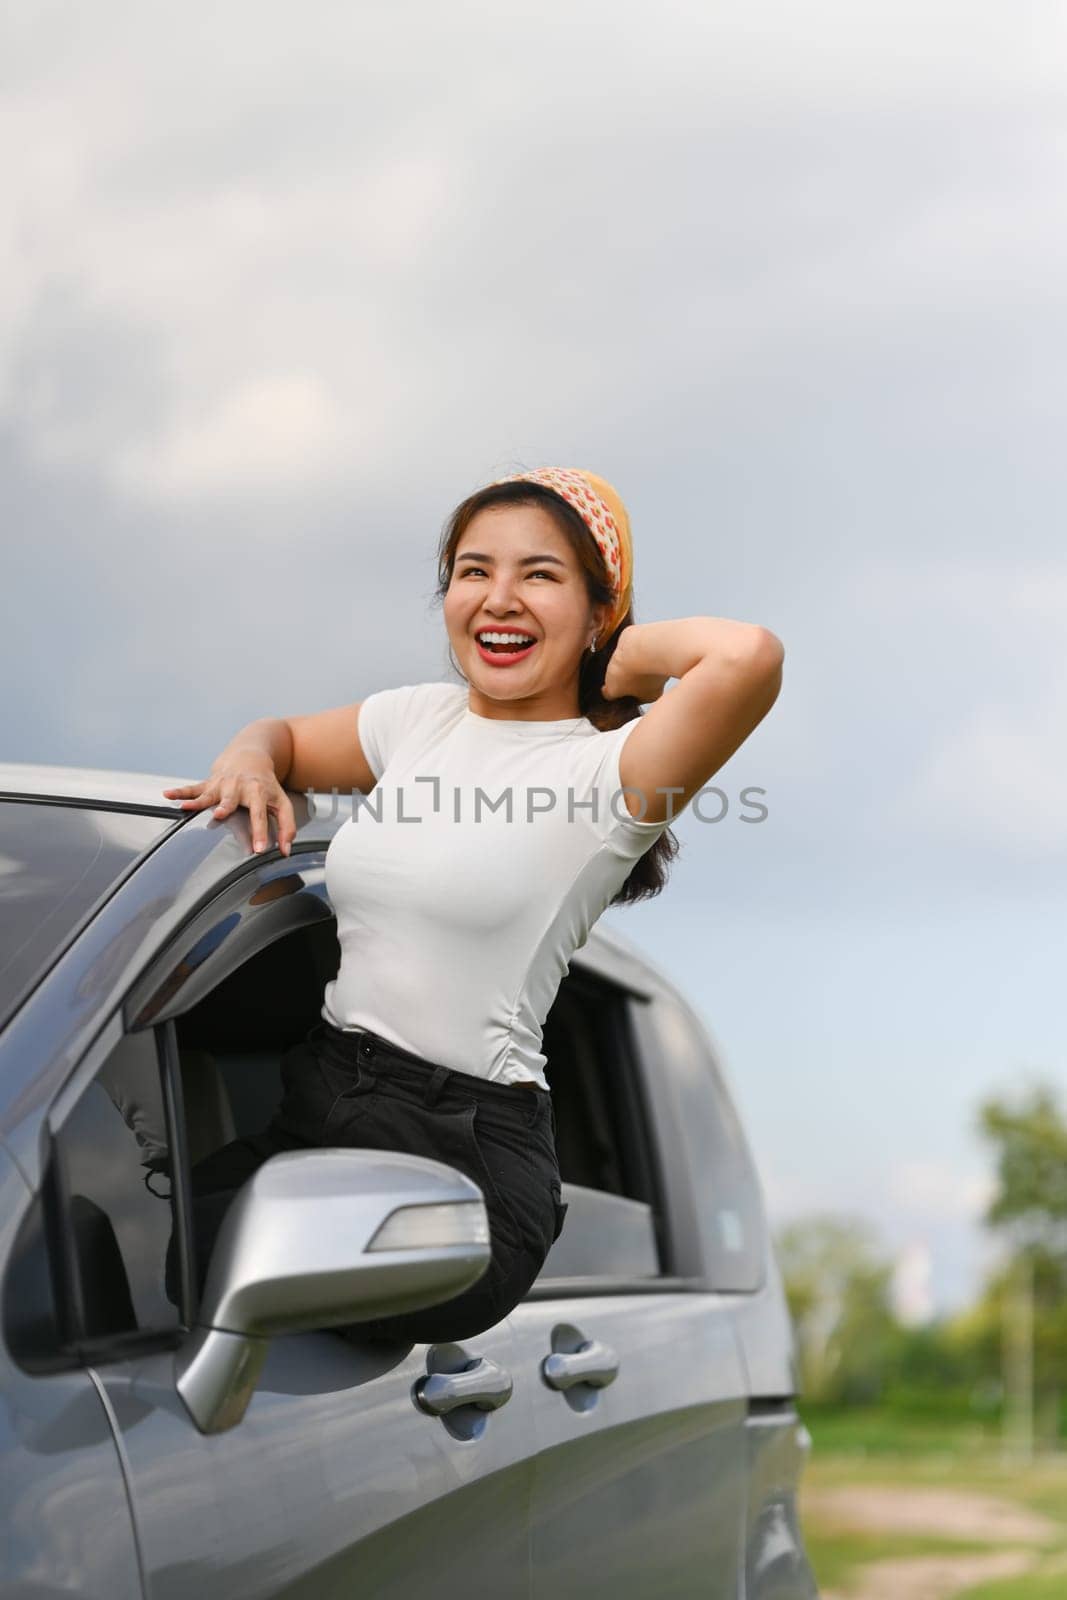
{"x":57,"y":865}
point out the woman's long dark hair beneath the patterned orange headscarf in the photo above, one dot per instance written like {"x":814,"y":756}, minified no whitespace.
{"x":652,"y":870}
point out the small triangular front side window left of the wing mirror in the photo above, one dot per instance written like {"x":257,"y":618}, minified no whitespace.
{"x":90,"y":1271}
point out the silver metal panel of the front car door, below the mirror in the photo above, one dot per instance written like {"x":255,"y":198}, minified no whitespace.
{"x":334,"y":1482}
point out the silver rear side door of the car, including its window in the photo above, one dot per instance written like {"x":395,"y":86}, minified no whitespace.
{"x":636,"y":1377}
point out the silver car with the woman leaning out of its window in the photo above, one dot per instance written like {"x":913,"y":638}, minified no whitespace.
{"x":629,"y":1431}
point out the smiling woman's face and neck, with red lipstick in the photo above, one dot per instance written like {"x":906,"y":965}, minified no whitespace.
{"x":516,"y":574}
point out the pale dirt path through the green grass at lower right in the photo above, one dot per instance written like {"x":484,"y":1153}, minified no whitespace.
{"x":953,"y":1514}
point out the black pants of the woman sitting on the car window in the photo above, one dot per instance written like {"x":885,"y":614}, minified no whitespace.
{"x":361,"y":1092}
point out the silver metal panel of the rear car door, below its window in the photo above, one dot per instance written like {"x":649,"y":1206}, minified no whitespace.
{"x":639,"y":1430}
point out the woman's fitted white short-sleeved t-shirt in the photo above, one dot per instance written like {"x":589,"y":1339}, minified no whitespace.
{"x":455,"y":922}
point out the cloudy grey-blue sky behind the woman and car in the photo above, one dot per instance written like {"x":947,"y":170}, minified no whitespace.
{"x":279,"y":294}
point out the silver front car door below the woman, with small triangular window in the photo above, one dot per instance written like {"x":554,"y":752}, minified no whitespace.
{"x":335,"y":1481}
